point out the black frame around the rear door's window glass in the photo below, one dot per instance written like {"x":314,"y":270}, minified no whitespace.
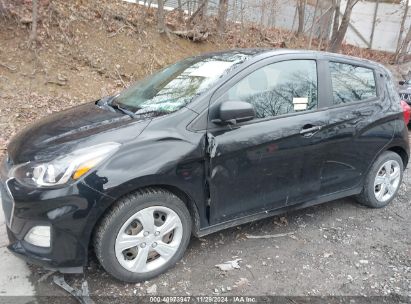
{"x":330,"y":99}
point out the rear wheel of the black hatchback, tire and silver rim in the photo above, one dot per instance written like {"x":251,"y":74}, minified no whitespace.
{"x":372,"y":194}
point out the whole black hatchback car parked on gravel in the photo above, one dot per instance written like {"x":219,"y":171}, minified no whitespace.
{"x":210,"y":142}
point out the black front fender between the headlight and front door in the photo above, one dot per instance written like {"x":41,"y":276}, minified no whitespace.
{"x":171,"y":162}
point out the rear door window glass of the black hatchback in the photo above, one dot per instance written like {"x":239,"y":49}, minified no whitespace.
{"x":351,"y":83}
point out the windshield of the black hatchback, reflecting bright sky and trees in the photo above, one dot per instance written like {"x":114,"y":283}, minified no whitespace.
{"x":177,"y":85}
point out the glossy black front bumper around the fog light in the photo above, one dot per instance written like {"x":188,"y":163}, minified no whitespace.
{"x":71,"y":212}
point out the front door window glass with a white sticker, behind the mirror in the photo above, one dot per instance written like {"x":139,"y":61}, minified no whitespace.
{"x":279,"y":88}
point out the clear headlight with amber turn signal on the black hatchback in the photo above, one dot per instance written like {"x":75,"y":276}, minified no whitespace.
{"x":59,"y":171}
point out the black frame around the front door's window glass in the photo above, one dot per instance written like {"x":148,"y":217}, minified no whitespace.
{"x":220,"y":91}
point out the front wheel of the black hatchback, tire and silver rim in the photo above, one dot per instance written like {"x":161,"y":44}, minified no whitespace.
{"x":119,"y":227}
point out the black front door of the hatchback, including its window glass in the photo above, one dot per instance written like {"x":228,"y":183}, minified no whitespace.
{"x":276,"y":159}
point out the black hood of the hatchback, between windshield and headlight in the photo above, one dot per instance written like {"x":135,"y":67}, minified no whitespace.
{"x":65,"y":131}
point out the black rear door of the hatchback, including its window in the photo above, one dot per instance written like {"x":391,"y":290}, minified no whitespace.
{"x":360,"y":124}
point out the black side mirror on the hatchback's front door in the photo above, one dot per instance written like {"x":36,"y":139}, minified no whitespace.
{"x":231,"y":112}
